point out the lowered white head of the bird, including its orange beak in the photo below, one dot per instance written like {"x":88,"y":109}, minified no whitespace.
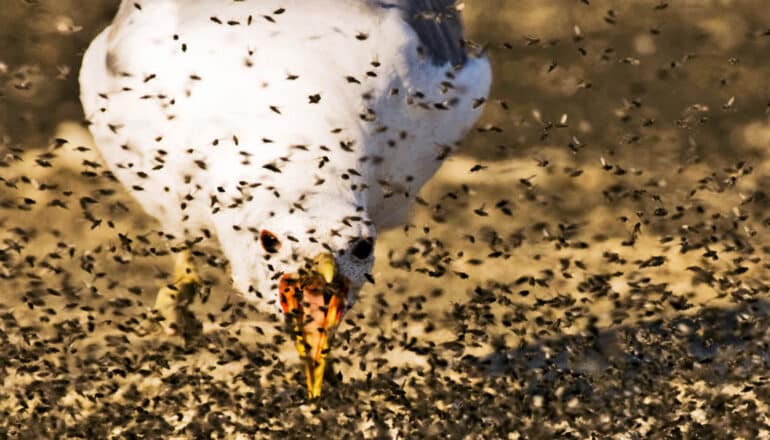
{"x":313,"y":267}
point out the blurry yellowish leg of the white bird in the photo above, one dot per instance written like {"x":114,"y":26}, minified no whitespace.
{"x":172,"y":300}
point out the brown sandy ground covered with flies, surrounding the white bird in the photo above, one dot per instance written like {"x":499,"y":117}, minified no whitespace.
{"x":594,"y":264}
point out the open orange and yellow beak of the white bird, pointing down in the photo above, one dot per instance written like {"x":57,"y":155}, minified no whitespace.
{"x":314,"y":302}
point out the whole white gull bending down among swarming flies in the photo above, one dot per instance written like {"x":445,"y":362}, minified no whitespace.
{"x":290,"y":130}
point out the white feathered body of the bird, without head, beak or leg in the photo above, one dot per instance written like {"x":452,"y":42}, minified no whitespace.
{"x":218,"y":113}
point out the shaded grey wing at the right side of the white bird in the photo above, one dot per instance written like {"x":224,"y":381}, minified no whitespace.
{"x":442,"y":88}
